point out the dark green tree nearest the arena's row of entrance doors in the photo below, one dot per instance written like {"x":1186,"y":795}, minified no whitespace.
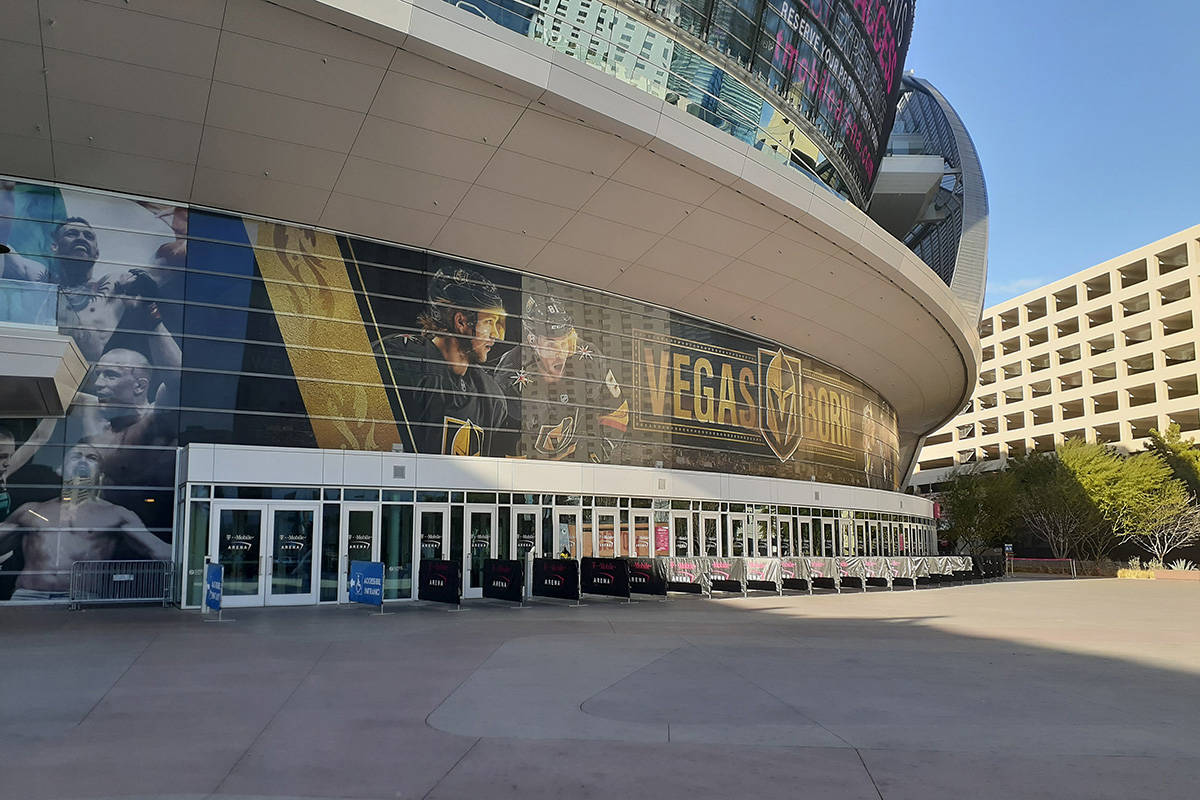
{"x":980,"y":508}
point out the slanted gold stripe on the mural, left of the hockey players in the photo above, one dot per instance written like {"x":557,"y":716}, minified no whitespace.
{"x":315,"y":304}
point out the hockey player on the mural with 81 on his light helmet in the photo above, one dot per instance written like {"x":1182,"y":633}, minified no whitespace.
{"x":565,"y":398}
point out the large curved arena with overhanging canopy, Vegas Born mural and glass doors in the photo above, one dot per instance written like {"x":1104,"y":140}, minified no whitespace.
{"x":291,"y":284}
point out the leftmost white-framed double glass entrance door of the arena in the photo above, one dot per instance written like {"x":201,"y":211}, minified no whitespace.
{"x":268,"y":552}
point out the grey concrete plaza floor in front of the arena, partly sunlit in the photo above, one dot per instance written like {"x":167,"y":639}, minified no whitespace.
{"x":1022,"y":689}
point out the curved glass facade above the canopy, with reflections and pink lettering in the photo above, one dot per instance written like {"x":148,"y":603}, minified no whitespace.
{"x":813,"y":82}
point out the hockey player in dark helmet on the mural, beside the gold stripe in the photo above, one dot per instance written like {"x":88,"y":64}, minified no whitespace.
{"x":452,"y":404}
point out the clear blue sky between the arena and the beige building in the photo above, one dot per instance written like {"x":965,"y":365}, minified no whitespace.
{"x":1087,"y":117}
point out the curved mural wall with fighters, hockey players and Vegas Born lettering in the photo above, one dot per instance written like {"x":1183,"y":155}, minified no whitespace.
{"x":211,"y":328}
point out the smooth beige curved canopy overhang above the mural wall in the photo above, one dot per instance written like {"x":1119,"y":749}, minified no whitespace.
{"x":421,"y":124}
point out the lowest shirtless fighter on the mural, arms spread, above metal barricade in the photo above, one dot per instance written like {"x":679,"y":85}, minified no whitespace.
{"x":77,"y":526}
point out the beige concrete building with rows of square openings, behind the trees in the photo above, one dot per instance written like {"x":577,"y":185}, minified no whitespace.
{"x":1105,"y":356}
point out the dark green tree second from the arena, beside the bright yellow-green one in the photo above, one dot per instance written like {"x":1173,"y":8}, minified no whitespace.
{"x":1055,"y":507}
